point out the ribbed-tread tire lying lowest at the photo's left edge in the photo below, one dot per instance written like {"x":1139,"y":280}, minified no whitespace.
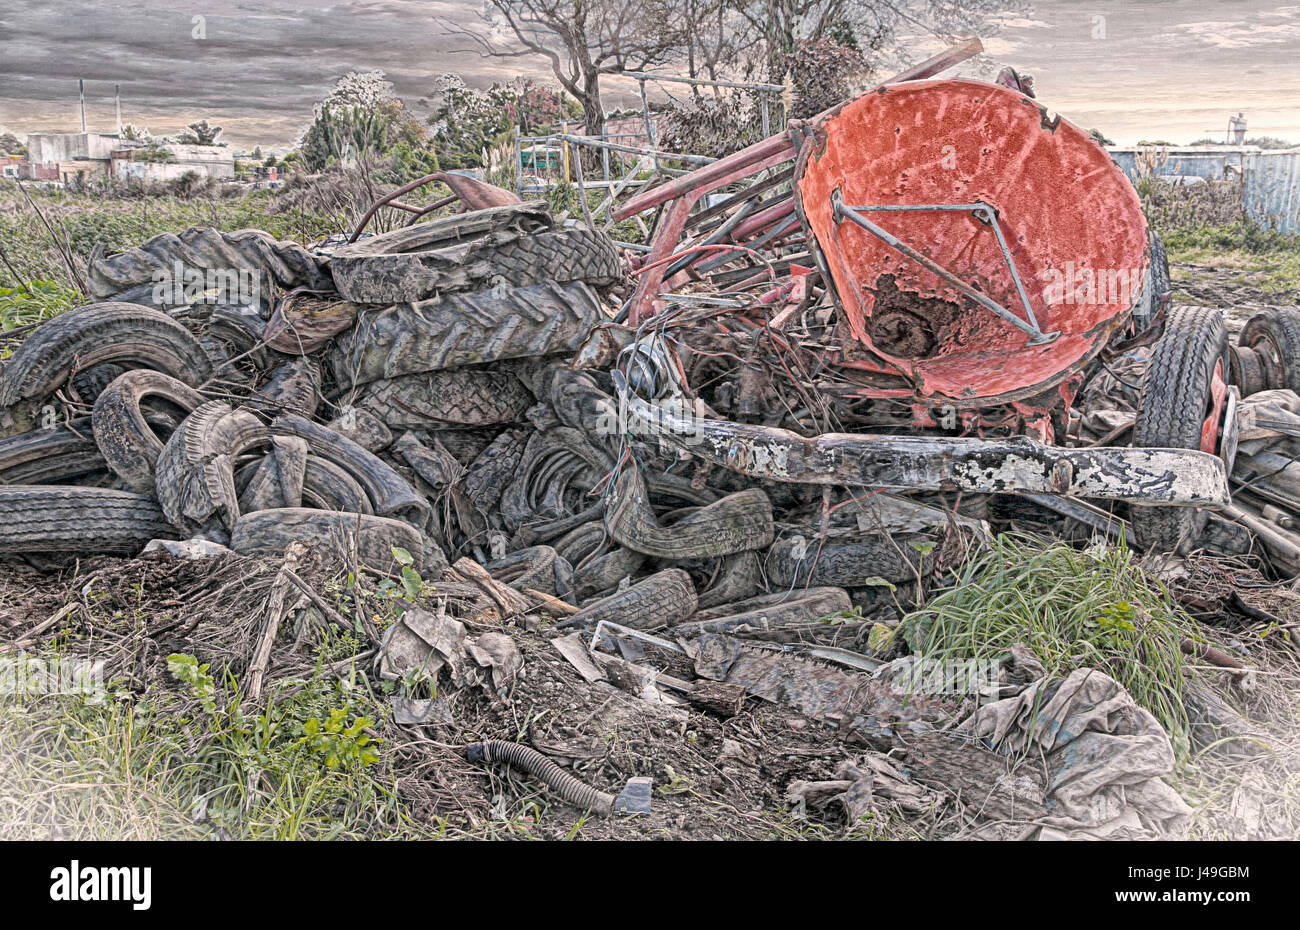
{"x":79,"y":521}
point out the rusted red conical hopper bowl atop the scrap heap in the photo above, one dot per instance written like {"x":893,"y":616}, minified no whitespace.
{"x":1064,"y":207}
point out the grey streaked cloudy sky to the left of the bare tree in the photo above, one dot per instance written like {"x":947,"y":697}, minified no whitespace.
{"x":255,"y":70}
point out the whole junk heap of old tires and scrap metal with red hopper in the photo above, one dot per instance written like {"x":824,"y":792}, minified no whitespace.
{"x":839,"y":362}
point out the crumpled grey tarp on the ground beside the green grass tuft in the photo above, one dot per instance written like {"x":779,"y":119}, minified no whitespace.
{"x":1104,"y":756}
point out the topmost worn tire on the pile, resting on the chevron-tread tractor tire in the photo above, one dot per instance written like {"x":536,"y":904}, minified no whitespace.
{"x":518,"y":244}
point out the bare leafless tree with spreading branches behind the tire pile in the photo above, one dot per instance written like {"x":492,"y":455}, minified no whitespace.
{"x":582,"y":40}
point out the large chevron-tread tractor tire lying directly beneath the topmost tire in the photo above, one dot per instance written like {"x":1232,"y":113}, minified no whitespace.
{"x":465,"y":330}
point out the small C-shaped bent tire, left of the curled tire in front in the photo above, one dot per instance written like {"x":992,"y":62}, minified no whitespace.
{"x":127,"y":442}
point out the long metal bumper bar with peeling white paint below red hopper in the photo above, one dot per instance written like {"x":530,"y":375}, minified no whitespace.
{"x":1013,"y":466}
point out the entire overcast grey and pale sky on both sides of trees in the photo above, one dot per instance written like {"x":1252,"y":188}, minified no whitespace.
{"x":1137,"y":70}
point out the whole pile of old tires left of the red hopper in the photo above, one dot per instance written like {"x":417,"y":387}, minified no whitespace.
{"x":410,"y":392}
